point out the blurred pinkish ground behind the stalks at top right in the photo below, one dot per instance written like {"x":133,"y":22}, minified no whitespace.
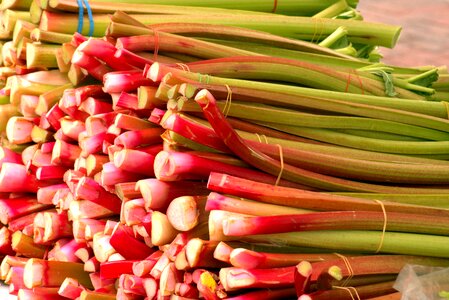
{"x":425,"y":29}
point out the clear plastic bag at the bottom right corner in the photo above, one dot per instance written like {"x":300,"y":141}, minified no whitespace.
{"x":423,"y":283}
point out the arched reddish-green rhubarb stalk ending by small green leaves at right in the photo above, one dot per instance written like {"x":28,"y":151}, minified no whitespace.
{"x":295,"y":71}
